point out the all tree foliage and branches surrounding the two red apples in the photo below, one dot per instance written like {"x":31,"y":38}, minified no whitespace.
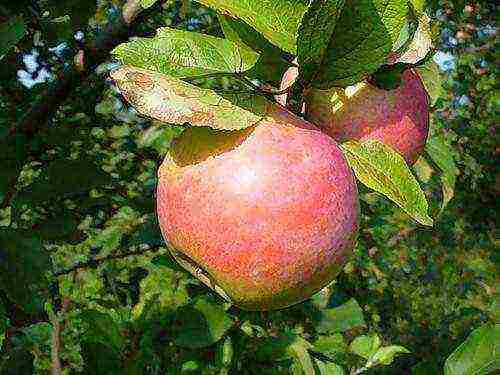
{"x":86,"y":282}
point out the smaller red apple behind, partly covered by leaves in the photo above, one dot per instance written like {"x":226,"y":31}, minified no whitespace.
{"x":399,"y":118}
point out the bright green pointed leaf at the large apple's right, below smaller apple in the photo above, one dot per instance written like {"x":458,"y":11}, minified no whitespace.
{"x":384,"y":170}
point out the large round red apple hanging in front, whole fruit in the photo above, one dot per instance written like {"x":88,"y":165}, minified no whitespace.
{"x":266,"y":216}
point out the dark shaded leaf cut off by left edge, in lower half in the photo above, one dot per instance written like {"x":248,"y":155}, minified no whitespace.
{"x":23,"y":264}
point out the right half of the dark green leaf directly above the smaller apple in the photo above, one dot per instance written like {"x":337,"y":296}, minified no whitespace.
{"x":363,"y":38}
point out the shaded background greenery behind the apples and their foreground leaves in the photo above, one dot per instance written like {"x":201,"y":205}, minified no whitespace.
{"x":86,"y":284}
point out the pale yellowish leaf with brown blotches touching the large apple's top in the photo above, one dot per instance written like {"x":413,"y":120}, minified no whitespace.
{"x":173,"y":101}
